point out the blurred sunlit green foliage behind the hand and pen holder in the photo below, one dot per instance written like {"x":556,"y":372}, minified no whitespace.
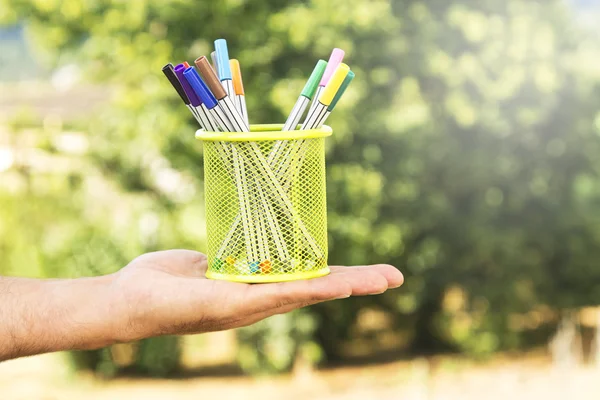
{"x":465,"y":152}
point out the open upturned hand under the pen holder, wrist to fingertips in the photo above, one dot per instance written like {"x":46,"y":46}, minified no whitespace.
{"x":167,"y":292}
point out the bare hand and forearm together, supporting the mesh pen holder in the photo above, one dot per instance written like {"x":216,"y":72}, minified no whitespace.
{"x":162,"y":293}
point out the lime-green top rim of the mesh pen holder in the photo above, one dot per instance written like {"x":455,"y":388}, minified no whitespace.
{"x":263,"y":132}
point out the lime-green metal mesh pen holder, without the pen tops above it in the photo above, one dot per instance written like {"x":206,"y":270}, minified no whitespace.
{"x":266,"y":212}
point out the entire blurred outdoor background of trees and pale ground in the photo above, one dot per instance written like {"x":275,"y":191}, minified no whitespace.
{"x":466,"y":153}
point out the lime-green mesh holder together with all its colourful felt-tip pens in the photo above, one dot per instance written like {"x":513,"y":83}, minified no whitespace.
{"x":264,"y":184}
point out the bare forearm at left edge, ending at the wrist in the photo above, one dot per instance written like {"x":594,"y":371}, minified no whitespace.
{"x":38,"y":316}
